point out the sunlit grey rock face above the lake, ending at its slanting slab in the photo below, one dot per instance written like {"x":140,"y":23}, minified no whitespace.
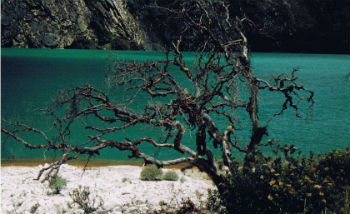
{"x":70,"y":24}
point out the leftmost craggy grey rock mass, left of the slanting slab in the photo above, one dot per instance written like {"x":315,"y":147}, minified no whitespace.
{"x":44,"y":23}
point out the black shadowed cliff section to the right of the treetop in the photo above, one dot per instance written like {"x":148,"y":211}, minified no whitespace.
{"x":318,"y":26}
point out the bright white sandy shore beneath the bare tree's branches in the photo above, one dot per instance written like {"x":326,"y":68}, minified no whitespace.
{"x":119,"y":187}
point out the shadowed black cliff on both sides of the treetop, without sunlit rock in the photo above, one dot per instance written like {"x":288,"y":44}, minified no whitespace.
{"x":309,"y":26}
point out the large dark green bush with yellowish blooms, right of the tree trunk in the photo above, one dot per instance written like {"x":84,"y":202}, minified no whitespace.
{"x":290,"y":184}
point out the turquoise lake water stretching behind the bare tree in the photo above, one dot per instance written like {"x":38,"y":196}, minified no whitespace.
{"x":30,"y":79}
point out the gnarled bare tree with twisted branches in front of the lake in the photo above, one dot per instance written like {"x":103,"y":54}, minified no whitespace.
{"x":221,"y":70}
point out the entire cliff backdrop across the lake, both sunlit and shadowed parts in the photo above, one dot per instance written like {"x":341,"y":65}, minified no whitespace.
{"x":279,"y":25}
